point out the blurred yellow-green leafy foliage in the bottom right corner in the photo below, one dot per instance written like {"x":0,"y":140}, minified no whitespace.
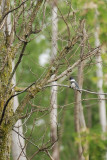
{"x":96,"y":143}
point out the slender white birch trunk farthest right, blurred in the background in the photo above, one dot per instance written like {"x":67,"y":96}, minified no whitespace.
{"x":99,"y":72}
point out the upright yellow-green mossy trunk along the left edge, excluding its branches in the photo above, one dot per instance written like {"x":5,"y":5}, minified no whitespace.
{"x":5,"y":71}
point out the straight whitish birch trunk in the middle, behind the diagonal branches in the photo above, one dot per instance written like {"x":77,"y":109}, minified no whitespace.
{"x":53,"y":114}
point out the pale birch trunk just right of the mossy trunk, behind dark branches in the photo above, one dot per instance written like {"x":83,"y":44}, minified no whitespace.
{"x":18,"y":143}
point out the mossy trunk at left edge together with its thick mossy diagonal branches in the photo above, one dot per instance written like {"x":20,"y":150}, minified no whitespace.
{"x":7,"y":53}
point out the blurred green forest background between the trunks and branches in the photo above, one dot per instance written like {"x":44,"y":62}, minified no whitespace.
{"x":36,"y":59}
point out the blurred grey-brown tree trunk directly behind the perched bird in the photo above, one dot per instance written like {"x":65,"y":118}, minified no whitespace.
{"x":80,"y":124}
